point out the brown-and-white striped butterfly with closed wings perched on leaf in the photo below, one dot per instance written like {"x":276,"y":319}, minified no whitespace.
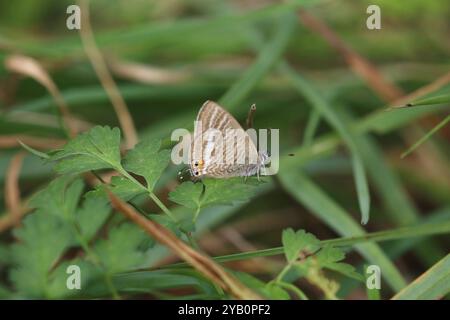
{"x":221,"y":148}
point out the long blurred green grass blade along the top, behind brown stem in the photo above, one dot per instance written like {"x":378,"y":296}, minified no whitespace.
{"x":151,"y":33}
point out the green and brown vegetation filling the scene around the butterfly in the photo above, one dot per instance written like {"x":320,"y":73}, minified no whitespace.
{"x":86,"y":177}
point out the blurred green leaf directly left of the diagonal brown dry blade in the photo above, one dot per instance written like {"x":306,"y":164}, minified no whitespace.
{"x":120,"y":251}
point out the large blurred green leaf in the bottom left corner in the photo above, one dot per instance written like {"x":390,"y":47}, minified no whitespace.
{"x":43,"y":238}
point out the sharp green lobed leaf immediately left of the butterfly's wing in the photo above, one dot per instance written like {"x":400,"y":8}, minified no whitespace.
{"x":146,"y":160}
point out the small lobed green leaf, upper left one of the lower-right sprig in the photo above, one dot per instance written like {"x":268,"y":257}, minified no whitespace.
{"x":296,"y":242}
